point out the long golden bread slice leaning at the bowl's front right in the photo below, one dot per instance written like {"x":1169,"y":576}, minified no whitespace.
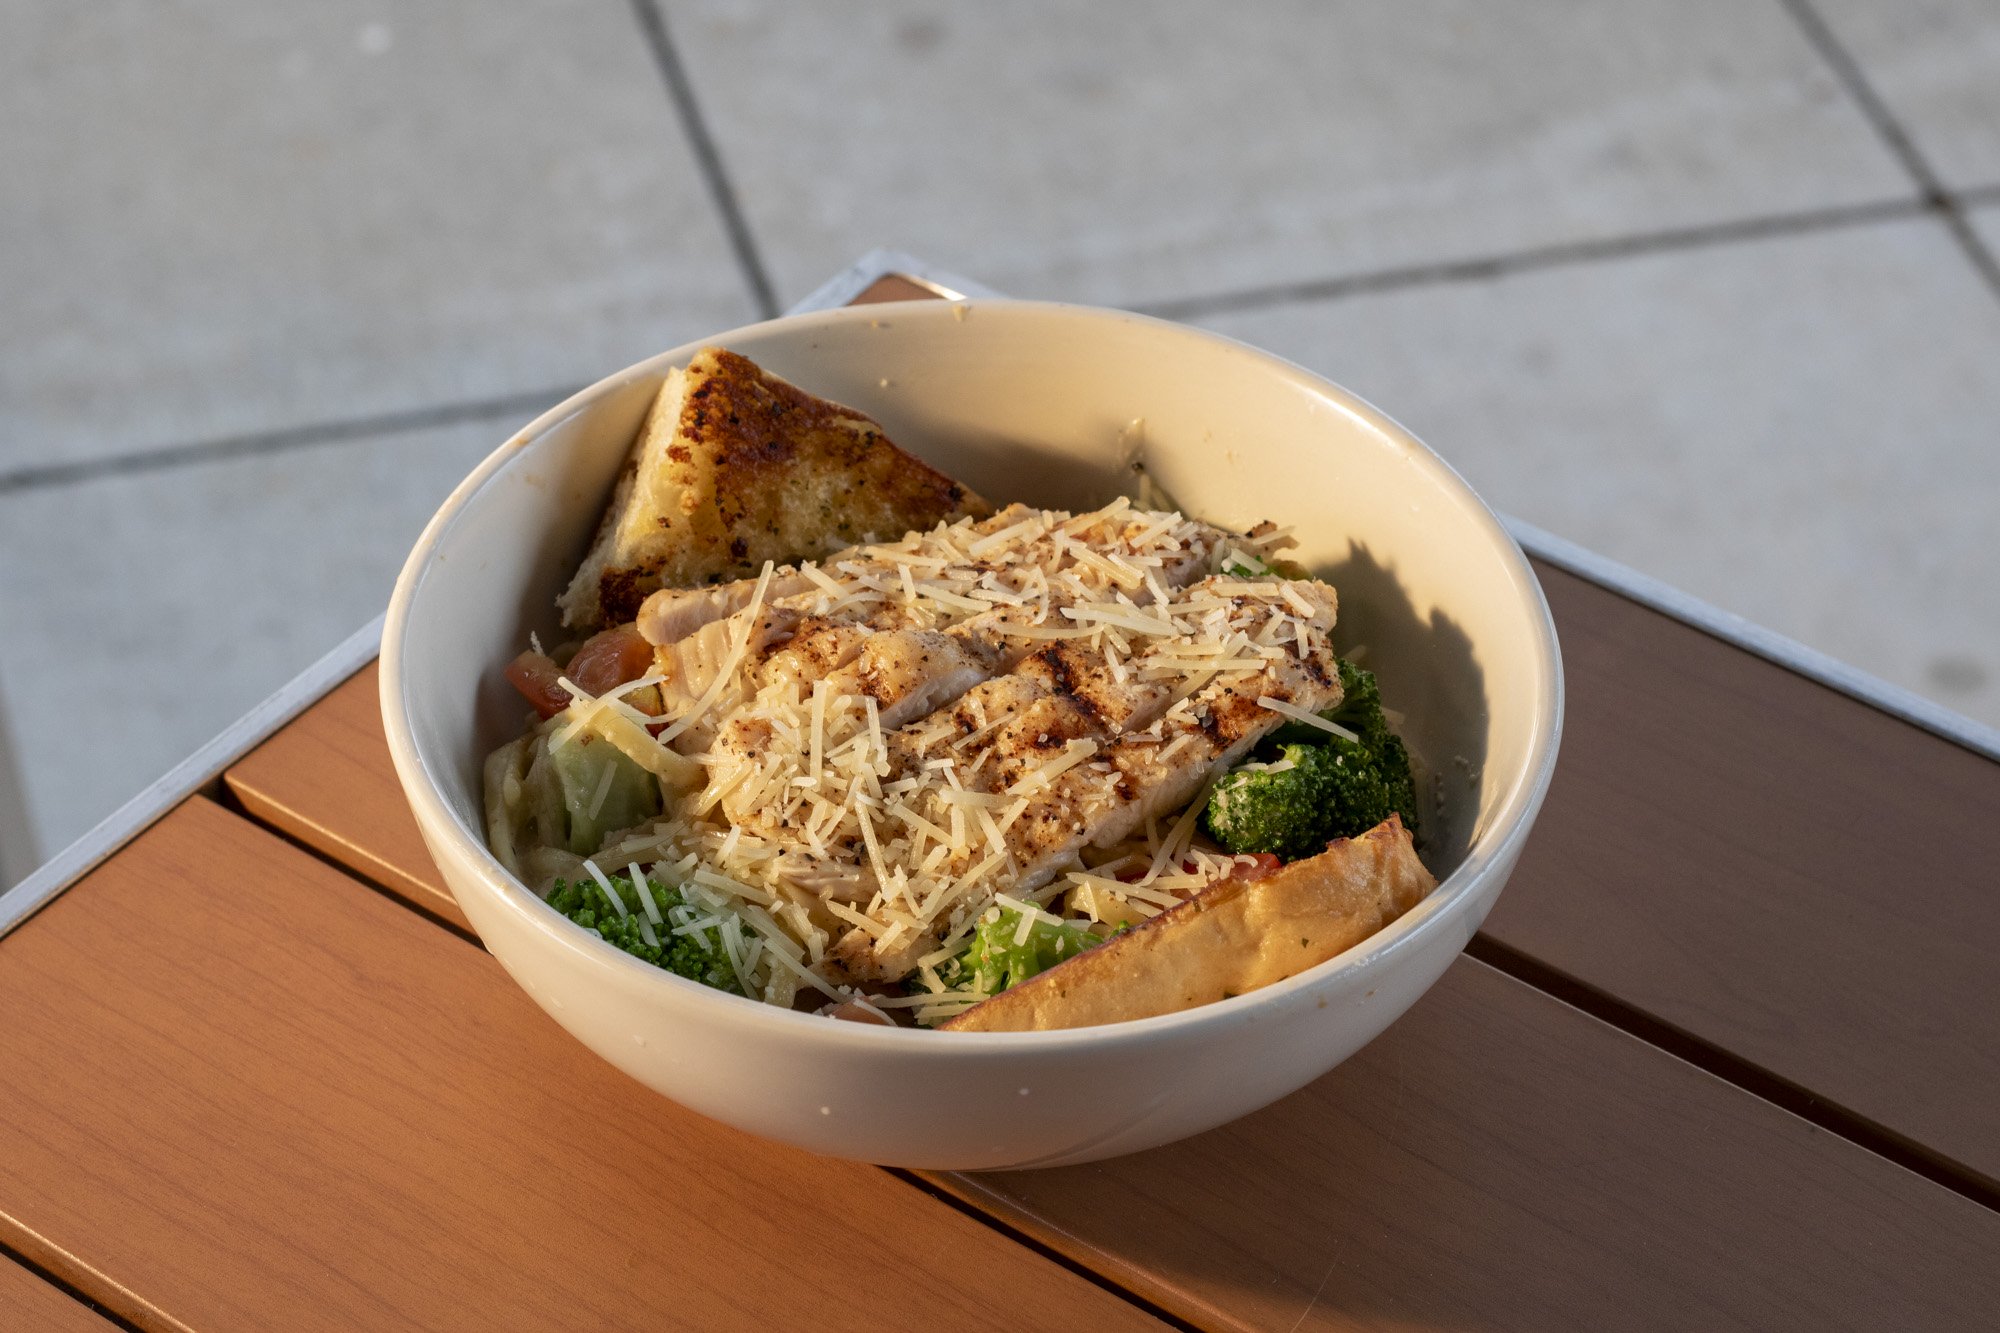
{"x":1229,"y":940}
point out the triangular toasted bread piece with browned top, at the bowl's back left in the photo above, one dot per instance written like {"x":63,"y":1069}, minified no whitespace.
{"x":737,"y":467}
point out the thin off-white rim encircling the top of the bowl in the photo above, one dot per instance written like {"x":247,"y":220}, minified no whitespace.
{"x":1493,"y":848}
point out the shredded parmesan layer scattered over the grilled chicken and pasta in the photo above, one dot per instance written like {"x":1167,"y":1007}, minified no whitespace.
{"x":805,"y":798}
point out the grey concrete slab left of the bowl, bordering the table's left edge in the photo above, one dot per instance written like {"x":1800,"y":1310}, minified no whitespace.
{"x":147,"y":611}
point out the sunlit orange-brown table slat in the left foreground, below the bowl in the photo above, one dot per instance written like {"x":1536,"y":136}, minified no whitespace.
{"x":245,"y":1092}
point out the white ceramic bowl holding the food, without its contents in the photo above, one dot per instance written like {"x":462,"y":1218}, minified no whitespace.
{"x":1047,"y":405}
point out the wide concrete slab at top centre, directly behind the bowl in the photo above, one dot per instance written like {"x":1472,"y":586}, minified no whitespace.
{"x":1133,"y":153}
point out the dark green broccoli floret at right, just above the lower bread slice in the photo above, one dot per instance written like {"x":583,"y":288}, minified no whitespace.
{"x":1331,"y":790}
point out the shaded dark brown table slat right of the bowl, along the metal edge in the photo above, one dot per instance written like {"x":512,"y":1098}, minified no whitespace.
{"x":1773,"y":868}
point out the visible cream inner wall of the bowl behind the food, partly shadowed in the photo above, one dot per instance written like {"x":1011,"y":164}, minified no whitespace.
{"x":1047,"y":405}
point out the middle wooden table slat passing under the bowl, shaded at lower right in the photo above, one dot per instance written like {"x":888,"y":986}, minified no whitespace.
{"x":1543,"y":1132}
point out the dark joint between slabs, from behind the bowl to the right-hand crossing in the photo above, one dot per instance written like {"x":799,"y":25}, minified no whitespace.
{"x":1561,"y":255}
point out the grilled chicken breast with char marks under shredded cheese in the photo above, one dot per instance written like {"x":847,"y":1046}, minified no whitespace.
{"x":1033,"y":659}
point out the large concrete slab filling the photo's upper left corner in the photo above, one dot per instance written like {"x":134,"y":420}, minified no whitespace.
{"x":229,"y":219}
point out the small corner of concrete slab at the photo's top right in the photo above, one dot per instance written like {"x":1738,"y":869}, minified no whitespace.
{"x":1937,"y":65}
